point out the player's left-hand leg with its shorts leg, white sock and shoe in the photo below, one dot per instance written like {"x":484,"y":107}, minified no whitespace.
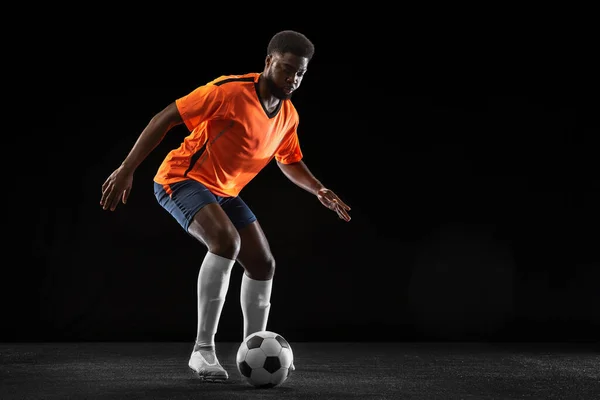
{"x":198,"y":212}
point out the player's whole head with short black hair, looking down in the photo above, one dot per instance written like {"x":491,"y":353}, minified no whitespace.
{"x":288,"y":55}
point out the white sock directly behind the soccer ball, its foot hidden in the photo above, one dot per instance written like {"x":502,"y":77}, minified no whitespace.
{"x":255,"y":299}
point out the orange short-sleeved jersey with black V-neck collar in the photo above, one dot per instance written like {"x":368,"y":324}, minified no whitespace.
{"x":232,"y":136}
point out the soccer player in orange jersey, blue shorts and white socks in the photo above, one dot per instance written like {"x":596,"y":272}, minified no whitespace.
{"x":237,"y":124}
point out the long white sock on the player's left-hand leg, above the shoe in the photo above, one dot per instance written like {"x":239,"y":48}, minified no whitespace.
{"x":213,"y":282}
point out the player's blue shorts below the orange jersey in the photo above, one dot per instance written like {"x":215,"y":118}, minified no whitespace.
{"x":187,"y":197}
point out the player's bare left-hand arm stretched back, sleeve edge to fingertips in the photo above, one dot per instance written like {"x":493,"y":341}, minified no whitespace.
{"x":117,"y":186}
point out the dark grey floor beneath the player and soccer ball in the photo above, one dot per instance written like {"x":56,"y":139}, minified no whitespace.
{"x":323,"y":371}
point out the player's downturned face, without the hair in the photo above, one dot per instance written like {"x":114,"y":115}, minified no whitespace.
{"x":284,"y":73}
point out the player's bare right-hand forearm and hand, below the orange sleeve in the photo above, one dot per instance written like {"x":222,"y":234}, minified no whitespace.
{"x":300,"y":175}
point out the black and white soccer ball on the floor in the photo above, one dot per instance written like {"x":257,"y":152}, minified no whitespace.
{"x":264,"y":358}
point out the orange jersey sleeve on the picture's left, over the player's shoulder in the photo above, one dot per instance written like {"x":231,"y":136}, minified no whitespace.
{"x":202,"y":104}
